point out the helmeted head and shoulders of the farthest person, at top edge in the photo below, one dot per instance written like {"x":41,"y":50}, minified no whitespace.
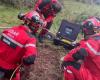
{"x":48,"y":7}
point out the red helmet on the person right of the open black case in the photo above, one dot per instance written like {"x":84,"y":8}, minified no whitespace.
{"x":91,"y":26}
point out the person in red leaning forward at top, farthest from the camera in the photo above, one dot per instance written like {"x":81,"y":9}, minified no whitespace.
{"x":47,"y":10}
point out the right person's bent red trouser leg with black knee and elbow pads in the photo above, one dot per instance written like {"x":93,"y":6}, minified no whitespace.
{"x":74,"y":68}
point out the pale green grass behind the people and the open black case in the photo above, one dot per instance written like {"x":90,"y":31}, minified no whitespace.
{"x":71,"y":11}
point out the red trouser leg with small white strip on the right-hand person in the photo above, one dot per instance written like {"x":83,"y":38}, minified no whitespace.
{"x":82,"y":74}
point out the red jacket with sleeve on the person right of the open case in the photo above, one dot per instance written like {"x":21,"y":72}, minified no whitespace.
{"x":92,"y":61}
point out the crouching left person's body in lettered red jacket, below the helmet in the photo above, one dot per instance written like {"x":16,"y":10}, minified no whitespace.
{"x":17,"y":46}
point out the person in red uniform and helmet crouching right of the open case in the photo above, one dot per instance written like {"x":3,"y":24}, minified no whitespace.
{"x":91,"y":62}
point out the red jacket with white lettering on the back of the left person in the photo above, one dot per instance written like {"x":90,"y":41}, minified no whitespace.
{"x":15,"y":45}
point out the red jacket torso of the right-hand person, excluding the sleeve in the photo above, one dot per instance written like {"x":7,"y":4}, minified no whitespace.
{"x":93,"y":60}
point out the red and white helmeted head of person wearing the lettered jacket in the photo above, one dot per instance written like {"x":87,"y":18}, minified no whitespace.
{"x":32,"y":19}
